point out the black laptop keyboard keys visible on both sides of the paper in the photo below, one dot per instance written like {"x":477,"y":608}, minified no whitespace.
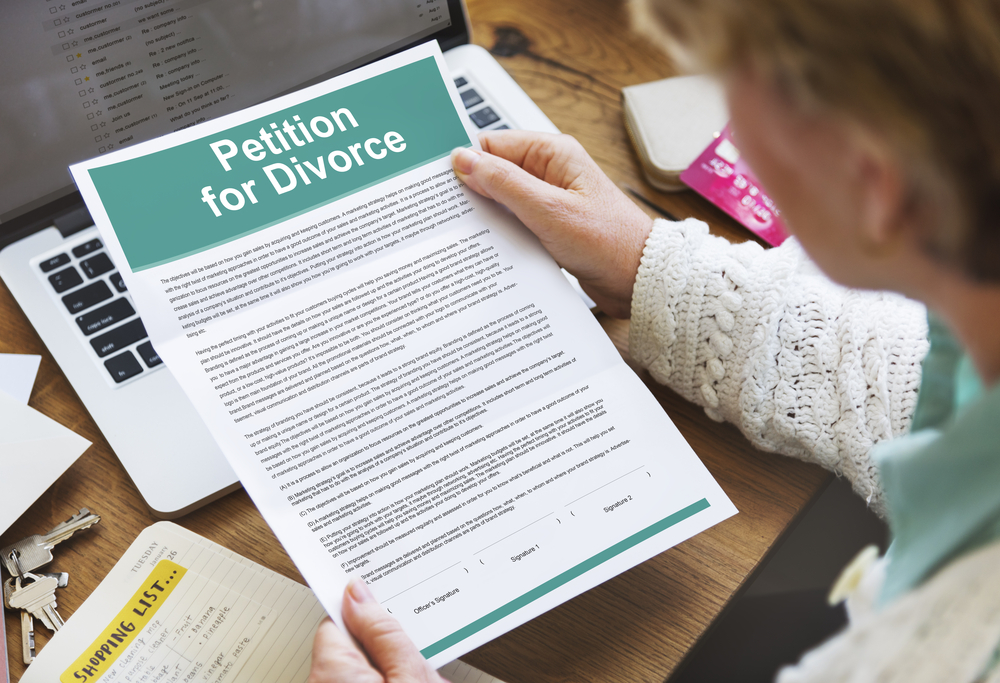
{"x":83,"y":277}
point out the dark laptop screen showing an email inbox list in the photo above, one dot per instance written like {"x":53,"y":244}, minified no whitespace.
{"x":85,"y":77}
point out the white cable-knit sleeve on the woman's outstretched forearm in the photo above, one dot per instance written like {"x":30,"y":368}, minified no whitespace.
{"x":762,"y":339}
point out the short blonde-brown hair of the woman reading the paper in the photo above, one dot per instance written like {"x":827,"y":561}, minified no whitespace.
{"x":922,"y":75}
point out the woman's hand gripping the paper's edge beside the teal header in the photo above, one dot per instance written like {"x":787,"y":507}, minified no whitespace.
{"x":588,"y":225}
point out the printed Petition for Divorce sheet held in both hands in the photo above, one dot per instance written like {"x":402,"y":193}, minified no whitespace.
{"x":403,"y":379}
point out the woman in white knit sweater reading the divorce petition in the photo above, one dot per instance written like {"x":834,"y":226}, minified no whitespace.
{"x":874,"y":125}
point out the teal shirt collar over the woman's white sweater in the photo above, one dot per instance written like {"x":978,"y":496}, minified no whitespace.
{"x":942,"y":482}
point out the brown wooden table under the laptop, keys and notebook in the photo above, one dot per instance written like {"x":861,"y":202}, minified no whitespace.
{"x":573,"y":59}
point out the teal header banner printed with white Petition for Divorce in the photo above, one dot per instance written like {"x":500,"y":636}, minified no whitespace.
{"x":186,"y":199}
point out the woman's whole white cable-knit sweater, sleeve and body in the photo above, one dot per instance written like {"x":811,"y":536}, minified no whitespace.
{"x":819,"y":372}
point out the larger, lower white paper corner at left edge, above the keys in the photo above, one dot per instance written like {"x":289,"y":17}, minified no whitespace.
{"x":34,"y":452}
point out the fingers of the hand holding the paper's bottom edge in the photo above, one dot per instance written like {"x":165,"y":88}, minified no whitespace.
{"x":388,"y":654}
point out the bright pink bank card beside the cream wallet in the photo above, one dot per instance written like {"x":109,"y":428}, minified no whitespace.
{"x":721,"y":176}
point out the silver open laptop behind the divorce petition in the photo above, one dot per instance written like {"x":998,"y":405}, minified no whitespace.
{"x":85,"y":77}
